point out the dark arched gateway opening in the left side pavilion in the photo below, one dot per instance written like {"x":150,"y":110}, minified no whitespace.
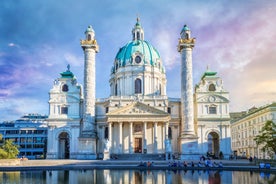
{"x":63,"y":146}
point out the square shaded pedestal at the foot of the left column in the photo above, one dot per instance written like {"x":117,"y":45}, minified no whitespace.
{"x":87,"y":148}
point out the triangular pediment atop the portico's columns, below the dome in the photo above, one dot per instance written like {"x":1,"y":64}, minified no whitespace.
{"x":138,"y":111}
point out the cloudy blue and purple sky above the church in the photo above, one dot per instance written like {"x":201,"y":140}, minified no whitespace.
{"x":39,"y":38}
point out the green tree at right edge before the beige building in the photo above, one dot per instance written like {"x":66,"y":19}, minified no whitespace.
{"x":267,"y":137}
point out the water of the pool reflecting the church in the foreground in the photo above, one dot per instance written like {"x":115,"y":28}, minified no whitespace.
{"x":135,"y":177}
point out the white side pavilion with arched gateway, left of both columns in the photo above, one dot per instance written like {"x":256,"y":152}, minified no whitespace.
{"x":65,"y":109}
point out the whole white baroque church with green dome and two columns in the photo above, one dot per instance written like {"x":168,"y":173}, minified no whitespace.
{"x":138,"y":119}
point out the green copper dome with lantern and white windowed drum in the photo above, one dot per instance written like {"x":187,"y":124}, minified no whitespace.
{"x":138,"y":68}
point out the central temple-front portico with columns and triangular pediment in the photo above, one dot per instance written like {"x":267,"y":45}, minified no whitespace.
{"x":137,"y":128}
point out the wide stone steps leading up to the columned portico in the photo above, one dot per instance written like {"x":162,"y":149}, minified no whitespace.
{"x":138,"y":156}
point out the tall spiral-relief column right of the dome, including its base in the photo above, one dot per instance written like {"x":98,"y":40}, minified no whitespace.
{"x":188,"y":144}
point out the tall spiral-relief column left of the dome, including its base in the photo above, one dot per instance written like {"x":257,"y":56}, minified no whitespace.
{"x":88,"y":134}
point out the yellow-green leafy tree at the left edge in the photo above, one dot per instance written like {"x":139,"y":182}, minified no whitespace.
{"x":8,"y":149}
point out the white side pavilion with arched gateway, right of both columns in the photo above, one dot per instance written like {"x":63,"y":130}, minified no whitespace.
{"x":212,"y":116}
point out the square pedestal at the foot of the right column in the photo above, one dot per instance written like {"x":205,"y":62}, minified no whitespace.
{"x":188,"y":144}
